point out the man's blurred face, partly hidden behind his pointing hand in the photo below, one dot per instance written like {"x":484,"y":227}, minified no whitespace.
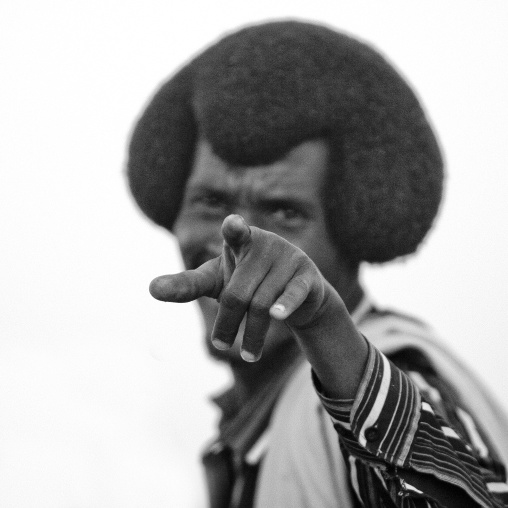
{"x":284,"y":197}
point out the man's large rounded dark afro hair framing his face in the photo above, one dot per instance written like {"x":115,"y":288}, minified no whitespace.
{"x":264,"y":89}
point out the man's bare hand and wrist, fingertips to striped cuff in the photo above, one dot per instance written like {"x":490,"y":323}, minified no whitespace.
{"x":264,"y":276}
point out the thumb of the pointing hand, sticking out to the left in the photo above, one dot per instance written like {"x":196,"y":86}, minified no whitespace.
{"x":189,"y":285}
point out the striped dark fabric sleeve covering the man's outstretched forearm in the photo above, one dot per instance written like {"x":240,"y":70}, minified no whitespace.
{"x":389,"y":429}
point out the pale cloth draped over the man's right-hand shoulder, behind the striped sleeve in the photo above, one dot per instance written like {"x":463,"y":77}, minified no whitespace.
{"x":439,"y":374}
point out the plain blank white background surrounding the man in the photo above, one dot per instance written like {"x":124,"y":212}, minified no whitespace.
{"x":104,"y":391}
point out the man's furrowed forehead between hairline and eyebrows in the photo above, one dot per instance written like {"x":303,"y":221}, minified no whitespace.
{"x":302,"y":170}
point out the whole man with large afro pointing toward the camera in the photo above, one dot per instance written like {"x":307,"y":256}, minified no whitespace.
{"x":283,"y":157}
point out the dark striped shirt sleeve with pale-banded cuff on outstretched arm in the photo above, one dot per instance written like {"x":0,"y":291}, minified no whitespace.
{"x":397,"y":421}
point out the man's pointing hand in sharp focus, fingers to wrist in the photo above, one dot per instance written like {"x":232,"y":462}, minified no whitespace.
{"x":258,"y":274}
